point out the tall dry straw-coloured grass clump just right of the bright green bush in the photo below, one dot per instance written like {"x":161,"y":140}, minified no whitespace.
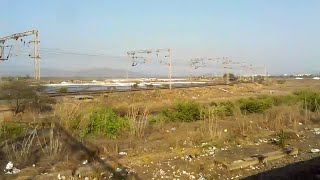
{"x":138,"y":121}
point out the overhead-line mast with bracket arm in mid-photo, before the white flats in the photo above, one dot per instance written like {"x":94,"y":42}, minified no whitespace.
{"x":148,"y":52}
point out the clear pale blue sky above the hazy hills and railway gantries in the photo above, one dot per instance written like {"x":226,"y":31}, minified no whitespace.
{"x":281,"y":34}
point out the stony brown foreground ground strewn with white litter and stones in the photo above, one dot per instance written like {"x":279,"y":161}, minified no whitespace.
{"x":144,"y":161}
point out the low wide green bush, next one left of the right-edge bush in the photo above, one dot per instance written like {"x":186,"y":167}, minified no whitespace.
{"x":255,"y":105}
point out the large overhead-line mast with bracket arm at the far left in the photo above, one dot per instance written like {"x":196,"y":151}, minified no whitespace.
{"x":35,"y":42}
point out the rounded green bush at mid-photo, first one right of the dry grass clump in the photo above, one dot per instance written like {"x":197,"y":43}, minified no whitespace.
{"x":183,"y":111}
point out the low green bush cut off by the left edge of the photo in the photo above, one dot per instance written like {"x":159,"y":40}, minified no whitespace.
{"x":11,"y":130}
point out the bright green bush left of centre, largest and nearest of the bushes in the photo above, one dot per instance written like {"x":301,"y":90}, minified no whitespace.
{"x":104,"y":121}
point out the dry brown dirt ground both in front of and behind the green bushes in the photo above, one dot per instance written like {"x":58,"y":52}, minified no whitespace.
{"x":172,"y":150}
